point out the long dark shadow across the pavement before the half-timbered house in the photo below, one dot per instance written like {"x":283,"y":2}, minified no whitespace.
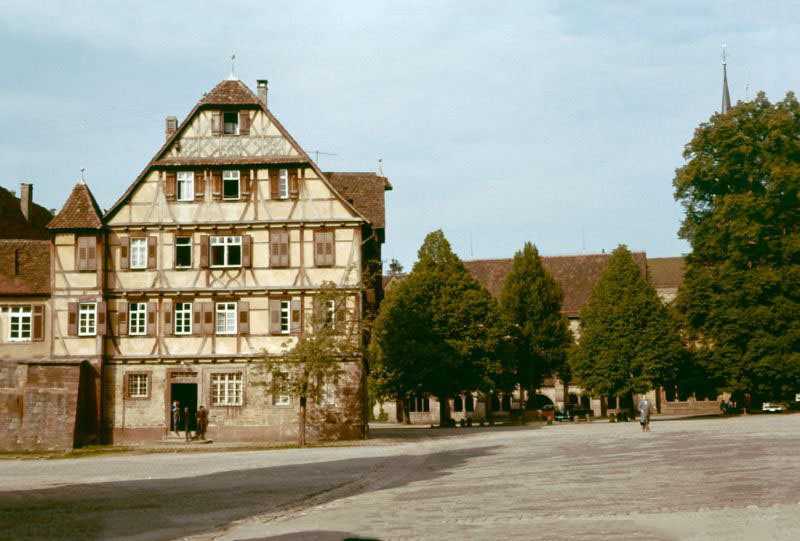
{"x":169,"y":508}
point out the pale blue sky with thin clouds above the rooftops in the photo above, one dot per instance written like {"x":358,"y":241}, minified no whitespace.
{"x":499,"y":122}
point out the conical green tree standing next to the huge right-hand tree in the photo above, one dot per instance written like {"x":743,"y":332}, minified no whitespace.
{"x":628,"y":343}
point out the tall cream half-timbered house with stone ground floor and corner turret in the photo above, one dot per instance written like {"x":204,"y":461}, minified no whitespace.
{"x":206,"y":265}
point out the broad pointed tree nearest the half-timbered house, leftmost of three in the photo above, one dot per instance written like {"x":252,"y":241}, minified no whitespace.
{"x":438,"y":332}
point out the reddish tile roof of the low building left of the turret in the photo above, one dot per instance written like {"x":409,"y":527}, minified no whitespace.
{"x":30,"y":275}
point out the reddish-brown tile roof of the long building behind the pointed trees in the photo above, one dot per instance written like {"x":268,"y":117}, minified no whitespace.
{"x":576,"y":274}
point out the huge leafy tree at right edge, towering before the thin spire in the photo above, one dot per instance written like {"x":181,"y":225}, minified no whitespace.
{"x":741,"y":294}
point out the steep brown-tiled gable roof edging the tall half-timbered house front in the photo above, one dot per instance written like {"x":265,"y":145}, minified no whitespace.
{"x":226,"y":93}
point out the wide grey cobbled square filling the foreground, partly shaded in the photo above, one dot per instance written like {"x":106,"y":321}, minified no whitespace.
{"x":731,"y":478}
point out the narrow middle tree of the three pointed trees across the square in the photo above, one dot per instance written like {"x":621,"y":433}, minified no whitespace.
{"x":539,"y":336}
